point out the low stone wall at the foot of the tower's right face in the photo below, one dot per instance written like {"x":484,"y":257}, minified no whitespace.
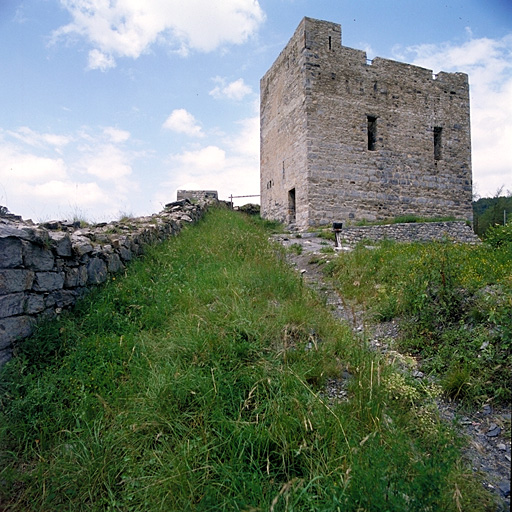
{"x":457,"y":231}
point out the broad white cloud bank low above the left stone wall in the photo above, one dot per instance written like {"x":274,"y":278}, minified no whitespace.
{"x":92,"y":175}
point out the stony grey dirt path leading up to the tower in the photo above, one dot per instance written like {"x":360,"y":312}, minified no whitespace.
{"x":487,"y":430}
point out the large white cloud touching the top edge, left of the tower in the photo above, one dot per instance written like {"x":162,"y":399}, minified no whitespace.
{"x":122,"y":28}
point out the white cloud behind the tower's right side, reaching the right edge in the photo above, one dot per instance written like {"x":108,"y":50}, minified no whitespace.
{"x":488,"y":62}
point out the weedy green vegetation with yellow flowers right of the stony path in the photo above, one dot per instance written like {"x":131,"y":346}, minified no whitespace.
{"x":454,"y":303}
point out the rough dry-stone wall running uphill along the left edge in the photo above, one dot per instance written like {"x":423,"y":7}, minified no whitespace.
{"x":45,"y":268}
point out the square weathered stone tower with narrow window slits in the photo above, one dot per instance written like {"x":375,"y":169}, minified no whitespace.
{"x":346,"y":139}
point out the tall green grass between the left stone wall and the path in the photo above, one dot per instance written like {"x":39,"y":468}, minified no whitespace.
{"x":196,"y":382}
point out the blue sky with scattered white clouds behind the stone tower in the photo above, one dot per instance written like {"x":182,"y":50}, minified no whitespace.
{"x":110,"y":106}
